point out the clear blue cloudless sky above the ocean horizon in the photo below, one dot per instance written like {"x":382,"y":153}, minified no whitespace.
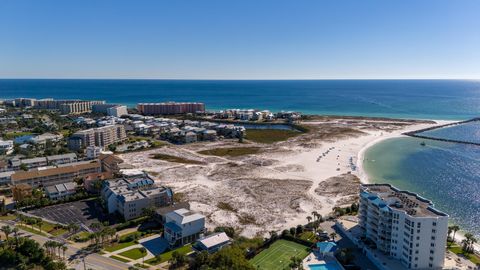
{"x":246,"y":39}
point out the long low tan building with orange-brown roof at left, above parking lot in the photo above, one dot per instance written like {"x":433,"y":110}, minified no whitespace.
{"x":48,"y":176}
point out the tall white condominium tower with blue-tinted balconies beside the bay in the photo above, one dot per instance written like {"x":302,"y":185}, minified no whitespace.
{"x":403,"y":225}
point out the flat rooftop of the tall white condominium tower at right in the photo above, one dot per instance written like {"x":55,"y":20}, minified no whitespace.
{"x":411,"y":203}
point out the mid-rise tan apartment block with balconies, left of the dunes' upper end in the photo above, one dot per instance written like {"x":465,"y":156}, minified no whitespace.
{"x":101,"y":137}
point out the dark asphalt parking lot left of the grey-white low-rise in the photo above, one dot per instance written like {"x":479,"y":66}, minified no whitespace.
{"x":86,"y":212}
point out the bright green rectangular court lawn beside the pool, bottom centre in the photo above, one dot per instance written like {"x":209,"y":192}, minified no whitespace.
{"x":278,"y":255}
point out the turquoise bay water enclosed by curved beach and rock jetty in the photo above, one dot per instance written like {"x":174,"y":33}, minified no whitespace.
{"x":446,"y":173}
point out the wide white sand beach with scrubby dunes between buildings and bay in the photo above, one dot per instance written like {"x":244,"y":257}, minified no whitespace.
{"x":281,"y":185}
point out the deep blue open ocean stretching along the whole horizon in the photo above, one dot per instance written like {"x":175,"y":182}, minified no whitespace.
{"x":420,"y":99}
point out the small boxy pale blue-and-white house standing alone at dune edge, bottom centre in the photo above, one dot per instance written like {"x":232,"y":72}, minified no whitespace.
{"x":183,"y":226}
